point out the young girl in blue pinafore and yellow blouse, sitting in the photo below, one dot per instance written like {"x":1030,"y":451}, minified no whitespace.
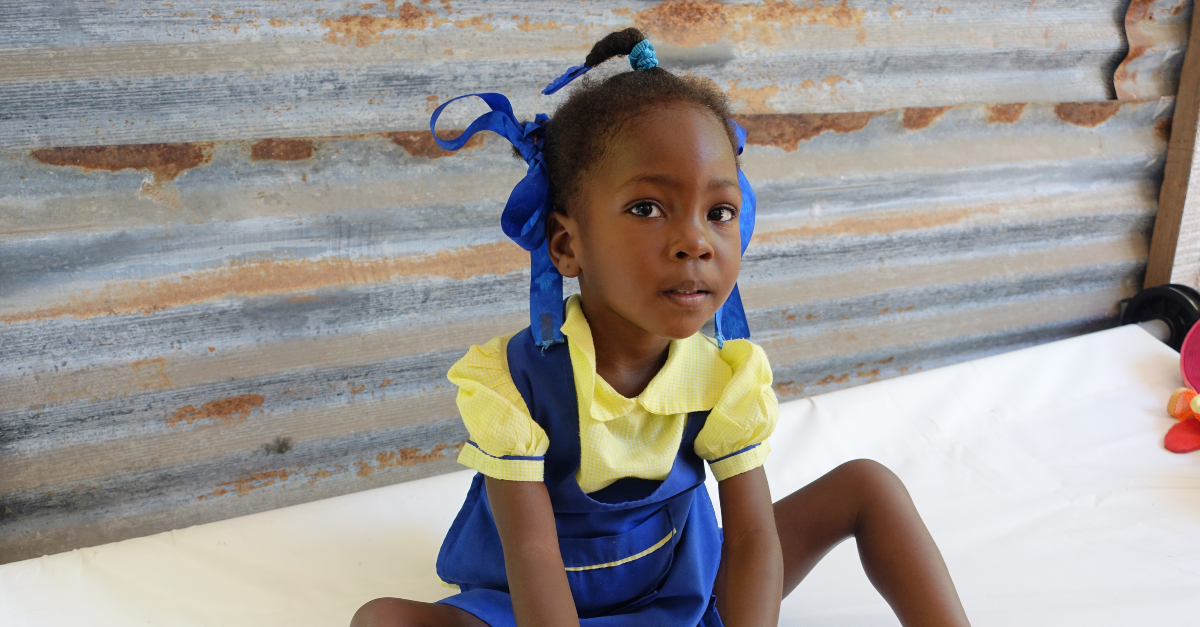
{"x":590,"y":429}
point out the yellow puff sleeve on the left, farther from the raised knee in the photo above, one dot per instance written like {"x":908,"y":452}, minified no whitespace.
{"x":506,"y":443}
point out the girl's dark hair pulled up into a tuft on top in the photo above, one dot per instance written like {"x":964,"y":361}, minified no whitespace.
{"x":593,"y":115}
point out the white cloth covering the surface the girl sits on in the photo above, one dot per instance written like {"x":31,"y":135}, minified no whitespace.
{"x":1040,"y":473}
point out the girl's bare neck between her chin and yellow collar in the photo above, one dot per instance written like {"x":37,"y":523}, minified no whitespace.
{"x":627,"y":356}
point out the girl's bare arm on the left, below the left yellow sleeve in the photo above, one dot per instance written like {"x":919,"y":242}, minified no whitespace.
{"x":537,"y":577}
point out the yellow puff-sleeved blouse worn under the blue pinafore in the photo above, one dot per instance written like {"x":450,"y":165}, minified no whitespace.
{"x":622,"y":438}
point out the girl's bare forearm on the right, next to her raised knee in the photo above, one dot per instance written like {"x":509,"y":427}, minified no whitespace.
{"x":752,"y":559}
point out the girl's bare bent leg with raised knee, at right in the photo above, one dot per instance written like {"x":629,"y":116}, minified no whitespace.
{"x":866,"y":500}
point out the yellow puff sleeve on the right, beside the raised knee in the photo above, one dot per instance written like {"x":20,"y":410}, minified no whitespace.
{"x":735,"y":435}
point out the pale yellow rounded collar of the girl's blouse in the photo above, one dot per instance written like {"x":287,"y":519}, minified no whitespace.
{"x":692,"y":380}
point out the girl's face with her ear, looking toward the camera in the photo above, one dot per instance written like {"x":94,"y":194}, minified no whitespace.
{"x":653,"y":237}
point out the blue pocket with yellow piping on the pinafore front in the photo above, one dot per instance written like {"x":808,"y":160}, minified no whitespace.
{"x":614,"y":572}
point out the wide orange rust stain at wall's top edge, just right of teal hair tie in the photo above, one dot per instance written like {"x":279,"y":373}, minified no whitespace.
{"x":691,"y":23}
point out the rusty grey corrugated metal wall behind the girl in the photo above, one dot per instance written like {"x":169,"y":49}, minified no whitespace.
{"x":235,"y":268}
